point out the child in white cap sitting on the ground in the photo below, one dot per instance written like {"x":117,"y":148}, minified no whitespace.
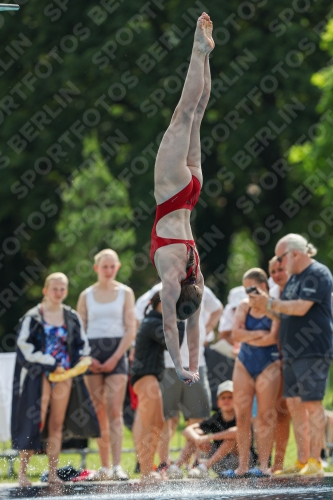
{"x":216,"y":435}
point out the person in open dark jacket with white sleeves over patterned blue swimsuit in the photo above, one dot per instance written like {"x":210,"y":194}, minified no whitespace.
{"x":51,"y":339}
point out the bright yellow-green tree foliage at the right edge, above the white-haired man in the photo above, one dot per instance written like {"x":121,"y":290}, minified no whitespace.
{"x":312,"y":164}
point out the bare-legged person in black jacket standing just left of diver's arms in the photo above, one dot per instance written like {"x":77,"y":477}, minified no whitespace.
{"x":146,"y":371}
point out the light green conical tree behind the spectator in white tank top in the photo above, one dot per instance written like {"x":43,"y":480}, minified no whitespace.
{"x":94,"y":216}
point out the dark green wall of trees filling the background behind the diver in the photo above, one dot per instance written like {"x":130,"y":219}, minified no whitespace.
{"x":111,"y":72}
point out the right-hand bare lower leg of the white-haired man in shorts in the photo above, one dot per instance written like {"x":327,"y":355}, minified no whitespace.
{"x":316,"y":414}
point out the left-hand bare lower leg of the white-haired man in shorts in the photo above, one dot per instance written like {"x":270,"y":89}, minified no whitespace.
{"x":300,"y":419}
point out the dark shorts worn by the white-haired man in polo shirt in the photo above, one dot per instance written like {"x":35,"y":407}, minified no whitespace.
{"x":305,"y":378}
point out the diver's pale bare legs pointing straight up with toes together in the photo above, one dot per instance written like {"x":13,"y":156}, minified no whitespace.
{"x":171,"y":171}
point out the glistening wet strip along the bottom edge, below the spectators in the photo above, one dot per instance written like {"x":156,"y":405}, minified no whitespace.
{"x":268,"y":488}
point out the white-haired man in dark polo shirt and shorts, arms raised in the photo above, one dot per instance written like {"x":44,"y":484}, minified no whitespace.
{"x":306,"y":330}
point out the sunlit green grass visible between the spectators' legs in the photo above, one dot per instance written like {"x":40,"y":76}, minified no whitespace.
{"x":38,"y":463}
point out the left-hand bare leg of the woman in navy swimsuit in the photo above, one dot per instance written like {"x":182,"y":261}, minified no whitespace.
{"x":243,"y":400}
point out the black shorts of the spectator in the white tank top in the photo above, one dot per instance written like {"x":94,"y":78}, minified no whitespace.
{"x":102,"y":349}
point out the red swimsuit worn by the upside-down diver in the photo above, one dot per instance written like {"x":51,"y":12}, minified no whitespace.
{"x":186,"y":198}
